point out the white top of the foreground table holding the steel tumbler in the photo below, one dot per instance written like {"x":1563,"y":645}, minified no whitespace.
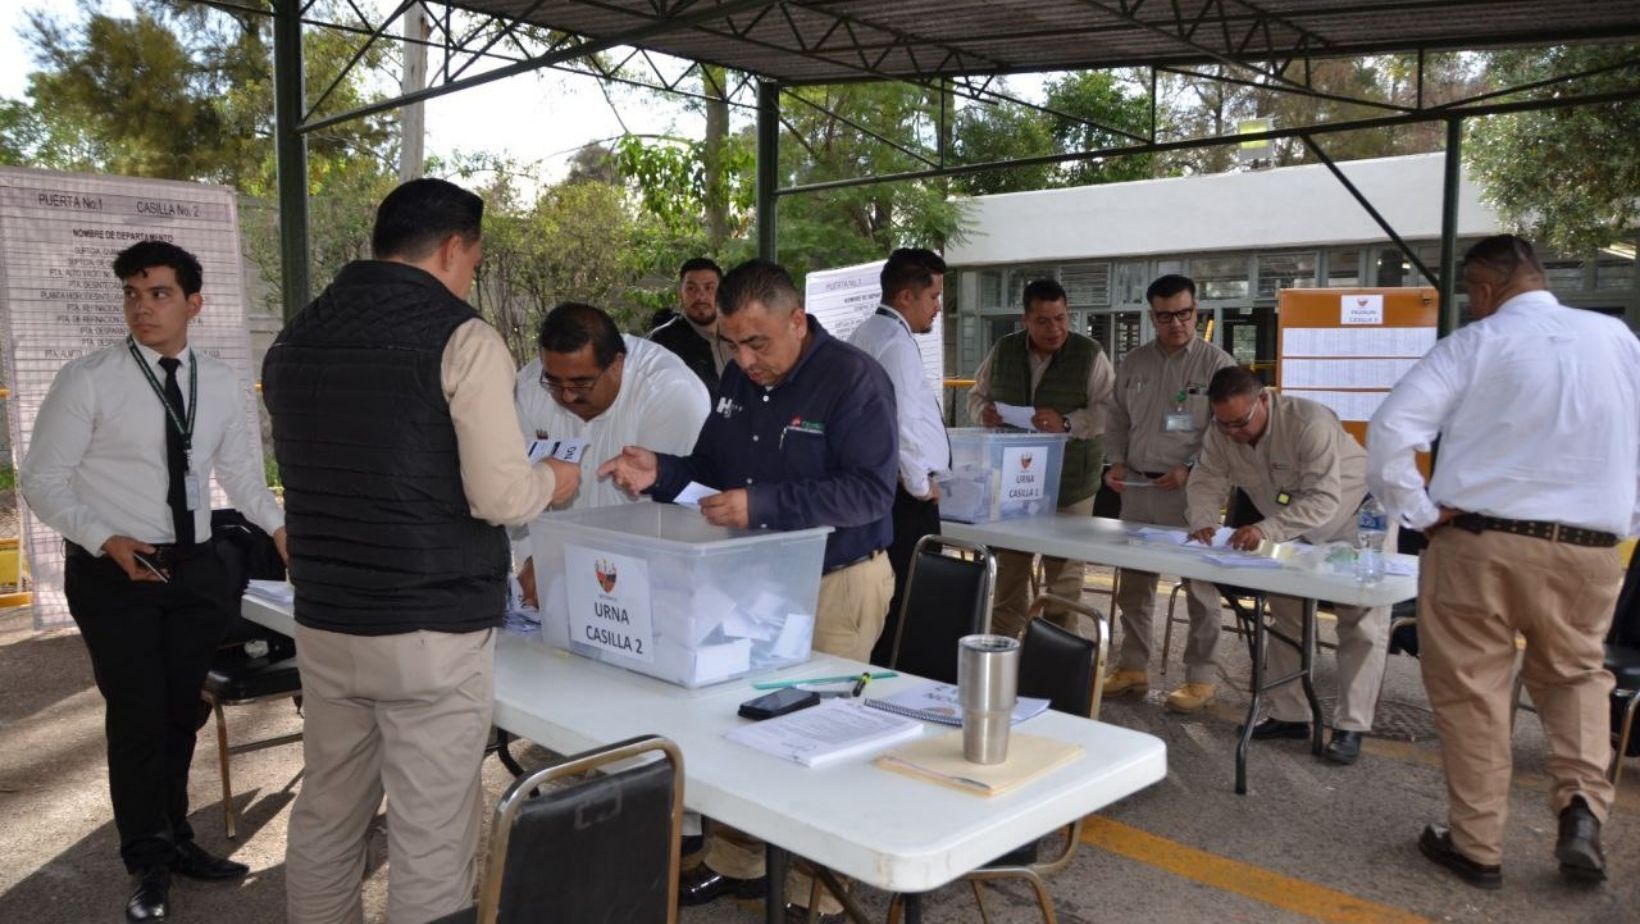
{"x":886,"y":830}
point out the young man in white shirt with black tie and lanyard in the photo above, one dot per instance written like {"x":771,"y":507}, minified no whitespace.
{"x":121,"y":464}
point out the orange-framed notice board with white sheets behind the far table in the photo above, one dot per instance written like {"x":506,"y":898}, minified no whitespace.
{"x":1349,"y":347}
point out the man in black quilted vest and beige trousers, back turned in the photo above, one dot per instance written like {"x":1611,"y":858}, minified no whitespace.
{"x":394,"y":428}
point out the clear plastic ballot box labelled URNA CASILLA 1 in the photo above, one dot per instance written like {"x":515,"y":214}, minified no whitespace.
{"x":1001,"y":475}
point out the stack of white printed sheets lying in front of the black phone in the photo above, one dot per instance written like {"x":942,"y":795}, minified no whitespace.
{"x":829,"y":733}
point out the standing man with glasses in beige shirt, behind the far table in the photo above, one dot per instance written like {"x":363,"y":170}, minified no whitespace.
{"x":1154,"y":434}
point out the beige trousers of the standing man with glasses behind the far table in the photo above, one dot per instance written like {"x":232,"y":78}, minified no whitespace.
{"x":1137,"y":595}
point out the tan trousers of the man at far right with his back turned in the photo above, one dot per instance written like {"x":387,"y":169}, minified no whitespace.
{"x":1475,"y":593}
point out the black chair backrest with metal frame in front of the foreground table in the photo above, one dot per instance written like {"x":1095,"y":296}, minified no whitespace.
{"x":601,"y":849}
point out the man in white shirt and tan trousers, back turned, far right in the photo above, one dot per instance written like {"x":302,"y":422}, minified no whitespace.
{"x":1537,"y":409}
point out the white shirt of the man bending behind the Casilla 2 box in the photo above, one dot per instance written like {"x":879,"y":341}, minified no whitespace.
{"x":662,"y":406}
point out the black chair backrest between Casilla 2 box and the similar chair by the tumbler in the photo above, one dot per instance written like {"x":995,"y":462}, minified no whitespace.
{"x":947,"y":597}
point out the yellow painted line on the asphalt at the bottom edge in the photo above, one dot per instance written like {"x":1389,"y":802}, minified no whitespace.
{"x":1259,"y":884}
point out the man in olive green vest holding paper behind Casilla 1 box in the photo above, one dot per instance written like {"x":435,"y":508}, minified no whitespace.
{"x":1067,"y":380}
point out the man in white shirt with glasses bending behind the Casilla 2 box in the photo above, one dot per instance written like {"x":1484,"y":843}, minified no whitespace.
{"x":593,"y":383}
